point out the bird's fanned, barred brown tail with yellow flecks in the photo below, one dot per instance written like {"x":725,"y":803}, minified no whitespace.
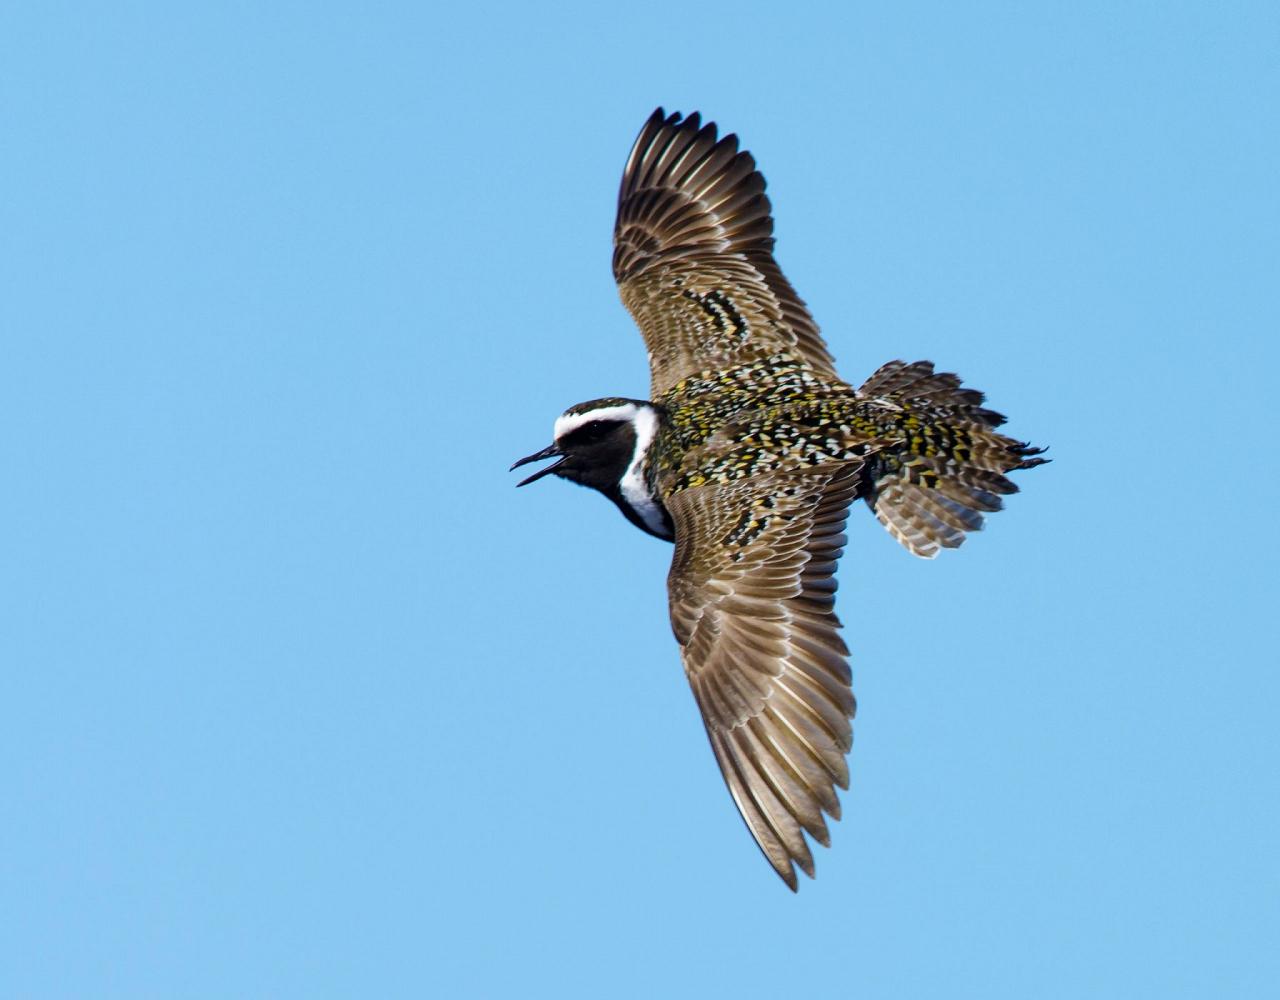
{"x":936,"y":486}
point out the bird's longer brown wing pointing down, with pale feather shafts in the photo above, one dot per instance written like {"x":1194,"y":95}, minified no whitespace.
{"x":752,"y":595}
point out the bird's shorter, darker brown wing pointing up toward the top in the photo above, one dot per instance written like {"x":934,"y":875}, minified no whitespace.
{"x":693,"y":255}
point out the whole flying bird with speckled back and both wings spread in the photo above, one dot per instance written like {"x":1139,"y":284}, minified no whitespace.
{"x":748,"y":456}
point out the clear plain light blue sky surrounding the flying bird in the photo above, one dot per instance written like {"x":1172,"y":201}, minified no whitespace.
{"x":299,"y":697}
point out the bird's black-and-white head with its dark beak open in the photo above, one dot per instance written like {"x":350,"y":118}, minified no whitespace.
{"x":597,"y":442}
